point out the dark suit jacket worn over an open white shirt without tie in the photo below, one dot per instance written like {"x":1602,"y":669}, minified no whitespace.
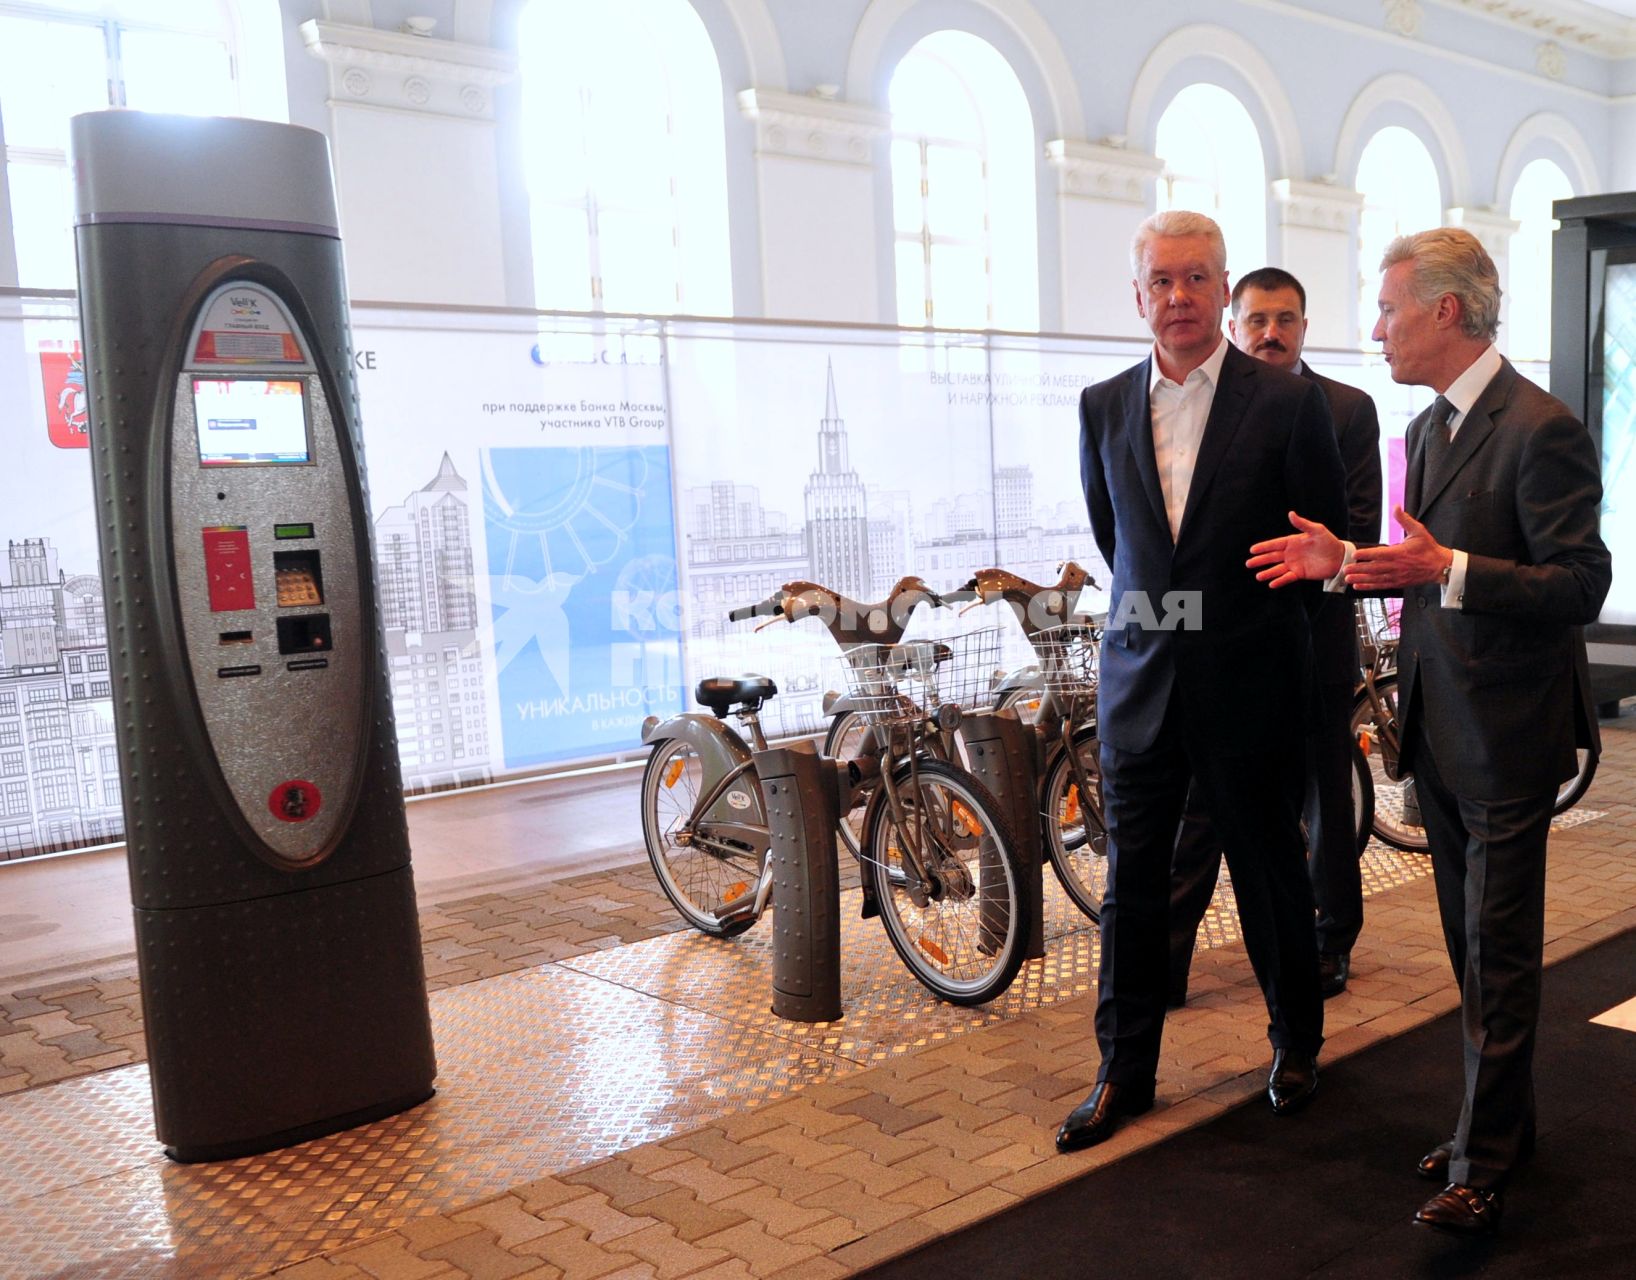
{"x":1267,"y":449}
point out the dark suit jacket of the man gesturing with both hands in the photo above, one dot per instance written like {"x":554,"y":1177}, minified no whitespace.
{"x":1501,"y":688}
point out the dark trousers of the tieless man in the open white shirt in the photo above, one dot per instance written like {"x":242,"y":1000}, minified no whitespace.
{"x":1256,"y":800}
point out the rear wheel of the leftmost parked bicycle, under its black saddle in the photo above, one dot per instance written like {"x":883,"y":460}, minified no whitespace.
{"x":699,"y":883}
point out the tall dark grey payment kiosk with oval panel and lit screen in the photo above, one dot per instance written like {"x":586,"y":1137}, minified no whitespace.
{"x":277,"y":937}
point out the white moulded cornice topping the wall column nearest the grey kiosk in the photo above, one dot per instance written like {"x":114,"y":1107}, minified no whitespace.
{"x":408,"y":73}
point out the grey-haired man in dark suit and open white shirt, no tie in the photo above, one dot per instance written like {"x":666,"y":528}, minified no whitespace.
{"x":1179,"y":456}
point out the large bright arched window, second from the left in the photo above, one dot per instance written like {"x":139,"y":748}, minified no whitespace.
{"x":626,"y":158}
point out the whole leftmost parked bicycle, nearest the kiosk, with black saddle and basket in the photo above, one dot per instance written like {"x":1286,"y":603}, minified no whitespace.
{"x":937,"y":852}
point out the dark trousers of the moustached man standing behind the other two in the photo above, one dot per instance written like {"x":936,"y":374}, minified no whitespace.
{"x":1333,"y":845}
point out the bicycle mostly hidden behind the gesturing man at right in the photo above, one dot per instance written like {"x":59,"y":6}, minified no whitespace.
{"x":1375,"y":729}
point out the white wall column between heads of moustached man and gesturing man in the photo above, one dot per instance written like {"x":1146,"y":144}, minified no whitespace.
{"x":1319,"y":241}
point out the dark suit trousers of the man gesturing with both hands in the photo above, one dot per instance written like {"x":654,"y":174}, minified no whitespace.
{"x":1488,"y":860}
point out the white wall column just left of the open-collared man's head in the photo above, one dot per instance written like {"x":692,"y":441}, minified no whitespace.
{"x":1103,"y":196}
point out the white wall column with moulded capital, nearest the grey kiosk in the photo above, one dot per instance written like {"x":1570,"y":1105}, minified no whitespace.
{"x":411,"y":128}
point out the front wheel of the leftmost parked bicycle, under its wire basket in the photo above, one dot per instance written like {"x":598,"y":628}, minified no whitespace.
{"x":966,"y":944}
